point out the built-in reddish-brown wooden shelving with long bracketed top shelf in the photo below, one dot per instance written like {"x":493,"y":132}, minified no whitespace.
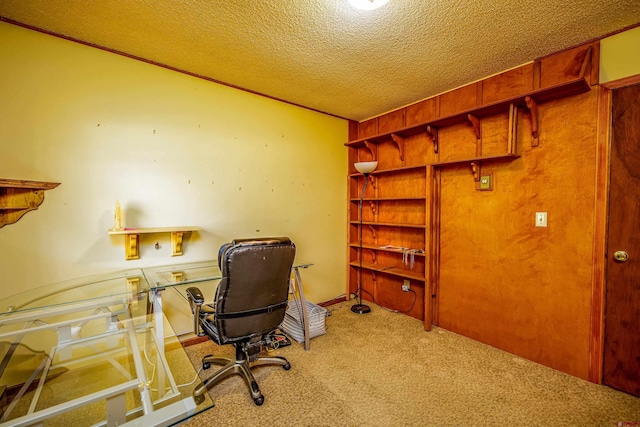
{"x":397,"y":209}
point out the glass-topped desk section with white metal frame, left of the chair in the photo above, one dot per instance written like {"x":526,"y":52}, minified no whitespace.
{"x":86,"y":352}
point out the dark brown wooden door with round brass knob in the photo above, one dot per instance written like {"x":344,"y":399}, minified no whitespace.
{"x":622,"y":306}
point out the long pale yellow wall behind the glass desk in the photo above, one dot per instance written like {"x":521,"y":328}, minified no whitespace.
{"x":174,"y":150}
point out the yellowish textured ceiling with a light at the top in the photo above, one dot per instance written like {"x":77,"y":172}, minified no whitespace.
{"x":326,"y":55}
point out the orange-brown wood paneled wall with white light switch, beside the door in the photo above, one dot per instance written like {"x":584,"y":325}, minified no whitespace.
{"x":499,"y":279}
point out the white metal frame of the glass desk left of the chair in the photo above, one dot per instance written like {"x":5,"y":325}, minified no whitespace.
{"x":120,"y":300}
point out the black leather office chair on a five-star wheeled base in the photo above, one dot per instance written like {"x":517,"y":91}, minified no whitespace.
{"x":250,"y":303}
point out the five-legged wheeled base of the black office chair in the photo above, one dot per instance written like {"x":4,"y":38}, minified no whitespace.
{"x":241,"y":366}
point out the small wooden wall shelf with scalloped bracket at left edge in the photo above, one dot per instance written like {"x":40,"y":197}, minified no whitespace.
{"x":17,"y":197}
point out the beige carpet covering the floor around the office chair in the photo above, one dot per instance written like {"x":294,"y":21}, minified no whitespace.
{"x":383,"y":369}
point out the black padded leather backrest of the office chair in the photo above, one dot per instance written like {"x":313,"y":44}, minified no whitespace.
{"x":252,"y":295}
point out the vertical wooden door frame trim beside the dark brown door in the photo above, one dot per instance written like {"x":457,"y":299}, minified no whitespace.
{"x":598,"y":281}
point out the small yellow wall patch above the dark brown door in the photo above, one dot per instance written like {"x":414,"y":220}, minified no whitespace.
{"x":620,"y":56}
